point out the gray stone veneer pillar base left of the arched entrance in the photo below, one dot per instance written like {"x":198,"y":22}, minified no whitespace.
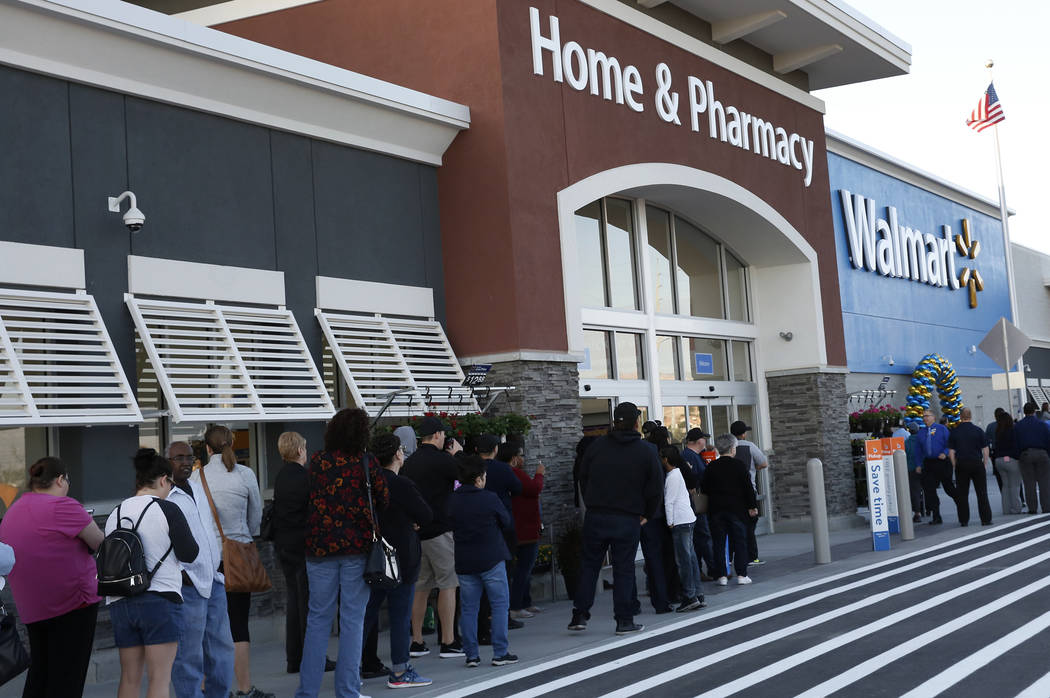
{"x":548,"y":393}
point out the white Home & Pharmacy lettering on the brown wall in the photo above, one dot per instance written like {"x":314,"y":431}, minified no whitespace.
{"x":589,"y":70}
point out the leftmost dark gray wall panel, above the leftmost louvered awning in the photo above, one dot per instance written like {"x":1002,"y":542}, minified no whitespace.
{"x":36,"y":203}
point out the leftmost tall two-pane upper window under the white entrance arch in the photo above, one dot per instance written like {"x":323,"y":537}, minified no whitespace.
{"x":605,"y":255}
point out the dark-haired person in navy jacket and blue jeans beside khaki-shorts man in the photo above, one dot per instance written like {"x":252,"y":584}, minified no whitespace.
{"x":479,"y":521}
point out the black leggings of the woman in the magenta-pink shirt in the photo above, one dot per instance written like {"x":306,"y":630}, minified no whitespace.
{"x":60,"y":651}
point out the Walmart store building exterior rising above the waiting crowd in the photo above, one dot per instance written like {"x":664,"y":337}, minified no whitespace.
{"x":603,"y":200}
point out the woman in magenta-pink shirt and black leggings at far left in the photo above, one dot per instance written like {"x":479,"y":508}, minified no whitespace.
{"x":54,"y":580}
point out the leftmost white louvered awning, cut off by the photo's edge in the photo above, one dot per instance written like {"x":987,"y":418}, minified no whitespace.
{"x":57,"y":364}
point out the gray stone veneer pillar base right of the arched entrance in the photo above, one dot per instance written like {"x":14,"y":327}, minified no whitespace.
{"x":808,"y":414}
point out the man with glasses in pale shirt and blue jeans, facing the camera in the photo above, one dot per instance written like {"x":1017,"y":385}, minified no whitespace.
{"x":205,"y":646}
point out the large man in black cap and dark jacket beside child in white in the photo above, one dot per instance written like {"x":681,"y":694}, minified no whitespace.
{"x":623,"y":487}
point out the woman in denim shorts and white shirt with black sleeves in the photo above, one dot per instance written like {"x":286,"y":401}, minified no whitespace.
{"x":146,"y":628}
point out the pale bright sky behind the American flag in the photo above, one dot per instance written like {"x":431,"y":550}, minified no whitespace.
{"x":921,"y":118}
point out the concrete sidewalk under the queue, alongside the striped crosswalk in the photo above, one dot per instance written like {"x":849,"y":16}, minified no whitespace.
{"x":789,"y":562}
